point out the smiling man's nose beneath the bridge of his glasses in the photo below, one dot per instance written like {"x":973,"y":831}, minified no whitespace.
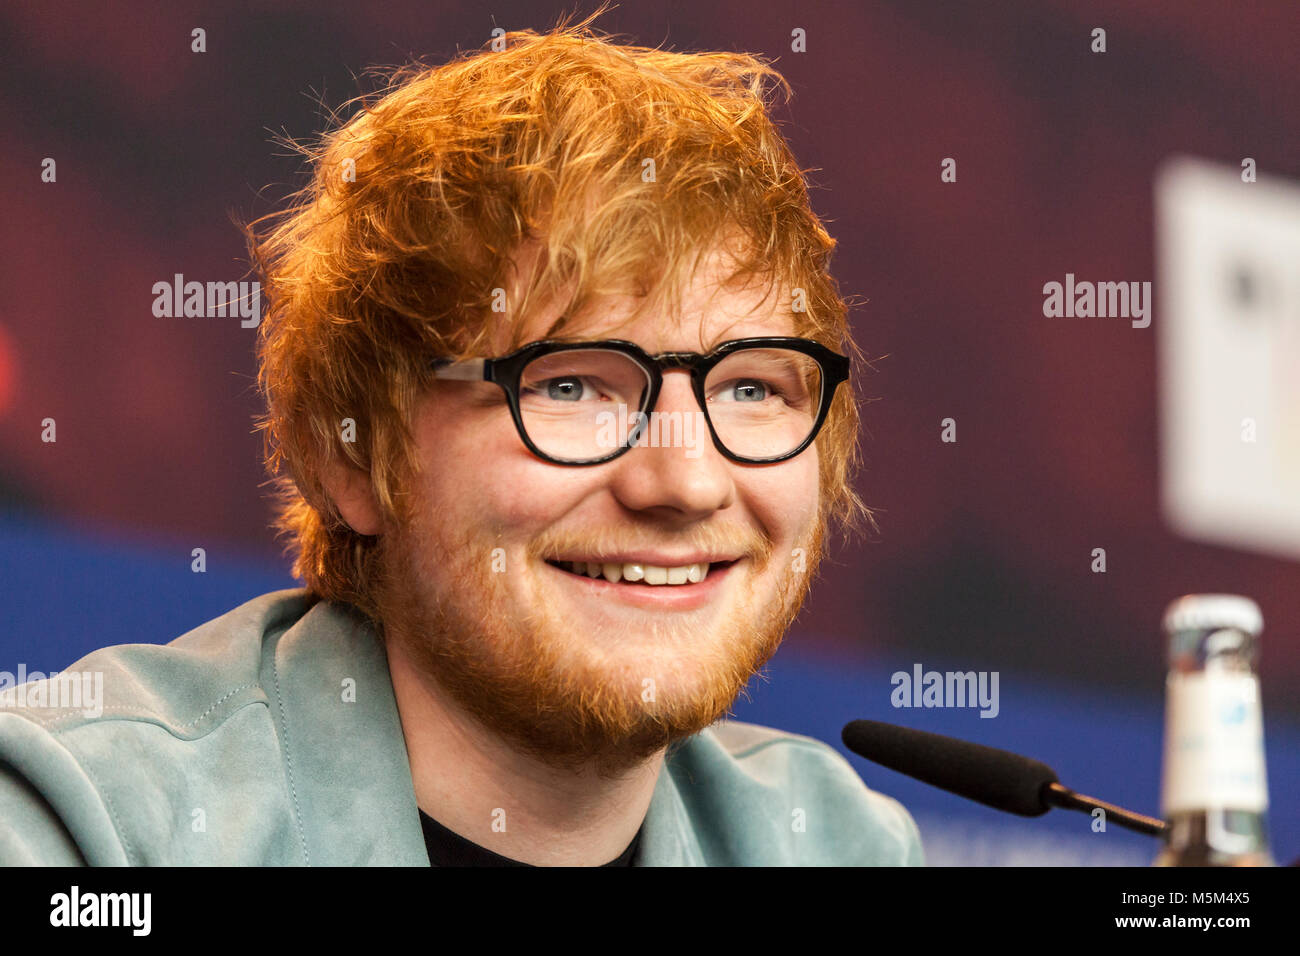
{"x":674,"y":466}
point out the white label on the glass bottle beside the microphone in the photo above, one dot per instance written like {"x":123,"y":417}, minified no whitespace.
{"x":1214,"y":745}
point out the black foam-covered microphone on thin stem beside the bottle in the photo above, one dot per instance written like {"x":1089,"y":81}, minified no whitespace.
{"x":996,"y":778}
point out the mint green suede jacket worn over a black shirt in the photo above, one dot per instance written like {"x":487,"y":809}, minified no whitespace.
{"x":271,"y":737}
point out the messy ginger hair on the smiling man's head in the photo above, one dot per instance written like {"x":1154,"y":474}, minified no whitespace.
{"x":391,"y":256}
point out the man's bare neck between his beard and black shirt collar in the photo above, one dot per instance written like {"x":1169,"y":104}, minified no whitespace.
{"x":476,"y":785}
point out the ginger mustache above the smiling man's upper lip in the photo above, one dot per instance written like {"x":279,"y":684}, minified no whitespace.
{"x":603,"y":543}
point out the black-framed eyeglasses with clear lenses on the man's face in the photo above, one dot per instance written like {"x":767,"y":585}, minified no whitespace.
{"x":764,"y":400}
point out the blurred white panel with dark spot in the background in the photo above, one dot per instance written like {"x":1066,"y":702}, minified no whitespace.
{"x":1228,"y":317}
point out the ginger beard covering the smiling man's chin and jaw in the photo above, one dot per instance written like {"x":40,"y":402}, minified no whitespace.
{"x":571,"y":674}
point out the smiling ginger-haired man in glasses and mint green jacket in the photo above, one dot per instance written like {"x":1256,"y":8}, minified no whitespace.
{"x":558,"y":406}
